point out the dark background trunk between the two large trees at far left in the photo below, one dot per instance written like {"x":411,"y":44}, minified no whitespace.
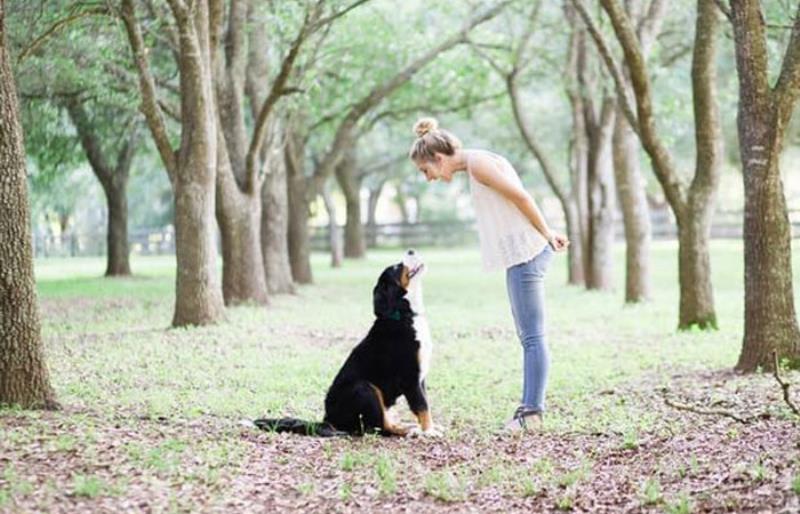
{"x":117,"y":249}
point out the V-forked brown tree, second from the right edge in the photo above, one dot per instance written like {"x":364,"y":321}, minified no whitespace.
{"x":692,"y":205}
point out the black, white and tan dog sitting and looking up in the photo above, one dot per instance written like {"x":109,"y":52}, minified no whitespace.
{"x":391,"y":361}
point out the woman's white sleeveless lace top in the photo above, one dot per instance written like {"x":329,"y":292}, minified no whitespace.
{"x":506,"y":236}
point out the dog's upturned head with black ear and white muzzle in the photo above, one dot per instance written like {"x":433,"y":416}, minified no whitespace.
{"x":389,"y":297}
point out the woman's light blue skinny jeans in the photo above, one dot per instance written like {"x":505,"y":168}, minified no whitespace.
{"x":525,"y":283}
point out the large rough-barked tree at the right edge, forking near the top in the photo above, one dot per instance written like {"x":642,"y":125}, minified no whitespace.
{"x":764,"y":113}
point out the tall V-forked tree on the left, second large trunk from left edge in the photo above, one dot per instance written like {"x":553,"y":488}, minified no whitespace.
{"x":190,"y":167}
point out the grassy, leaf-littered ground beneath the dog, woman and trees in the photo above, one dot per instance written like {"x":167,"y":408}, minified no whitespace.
{"x":153,"y":418}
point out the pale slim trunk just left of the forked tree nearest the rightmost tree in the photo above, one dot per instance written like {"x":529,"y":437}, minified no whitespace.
{"x":635,"y":213}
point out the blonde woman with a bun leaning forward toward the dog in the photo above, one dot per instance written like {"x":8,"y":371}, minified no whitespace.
{"x":513,"y":236}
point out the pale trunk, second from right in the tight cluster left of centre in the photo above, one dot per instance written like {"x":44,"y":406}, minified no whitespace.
{"x":275,"y":229}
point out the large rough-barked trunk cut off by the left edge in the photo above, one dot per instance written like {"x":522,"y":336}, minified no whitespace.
{"x":24,"y":379}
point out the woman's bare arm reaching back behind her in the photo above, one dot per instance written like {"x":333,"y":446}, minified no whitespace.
{"x":485,"y":171}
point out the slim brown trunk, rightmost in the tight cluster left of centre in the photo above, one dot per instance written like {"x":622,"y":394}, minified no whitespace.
{"x":298,"y":189}
